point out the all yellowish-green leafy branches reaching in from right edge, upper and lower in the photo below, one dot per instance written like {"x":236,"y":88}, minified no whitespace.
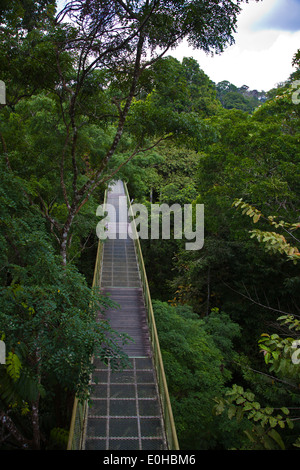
{"x":281,"y":355}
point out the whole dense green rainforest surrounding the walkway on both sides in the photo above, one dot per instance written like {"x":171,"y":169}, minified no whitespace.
{"x":92,"y":94}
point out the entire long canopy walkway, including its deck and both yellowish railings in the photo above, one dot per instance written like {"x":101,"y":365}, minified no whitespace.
{"x":130,"y":409}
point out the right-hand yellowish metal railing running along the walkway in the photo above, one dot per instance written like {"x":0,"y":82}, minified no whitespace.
{"x":169,"y":423}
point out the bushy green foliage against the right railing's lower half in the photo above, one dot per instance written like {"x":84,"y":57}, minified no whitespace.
{"x":196,"y":361}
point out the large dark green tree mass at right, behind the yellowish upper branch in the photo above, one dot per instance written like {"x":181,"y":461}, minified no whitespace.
{"x":254,"y":159}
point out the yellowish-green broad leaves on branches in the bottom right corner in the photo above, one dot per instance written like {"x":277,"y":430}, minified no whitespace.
{"x":263,"y":426}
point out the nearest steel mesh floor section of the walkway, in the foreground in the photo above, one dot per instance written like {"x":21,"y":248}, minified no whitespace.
{"x":125,"y":411}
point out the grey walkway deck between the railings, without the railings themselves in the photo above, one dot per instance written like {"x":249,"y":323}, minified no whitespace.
{"x":126,"y":411}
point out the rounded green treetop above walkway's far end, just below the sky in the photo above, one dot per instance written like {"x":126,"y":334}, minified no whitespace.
{"x":180,"y":97}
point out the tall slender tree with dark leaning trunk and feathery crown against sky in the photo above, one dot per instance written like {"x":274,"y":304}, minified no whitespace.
{"x":117,"y":35}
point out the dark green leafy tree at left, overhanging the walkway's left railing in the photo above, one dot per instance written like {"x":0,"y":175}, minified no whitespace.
{"x":49,"y":322}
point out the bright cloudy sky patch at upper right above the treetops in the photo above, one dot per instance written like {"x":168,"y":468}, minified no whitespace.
{"x":266,"y":39}
